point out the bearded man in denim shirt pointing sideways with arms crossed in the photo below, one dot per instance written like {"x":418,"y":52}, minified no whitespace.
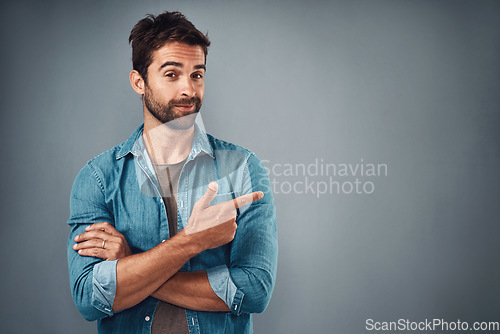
{"x":172,"y":231}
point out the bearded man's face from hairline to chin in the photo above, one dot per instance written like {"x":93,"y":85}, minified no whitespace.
{"x":176,"y":84}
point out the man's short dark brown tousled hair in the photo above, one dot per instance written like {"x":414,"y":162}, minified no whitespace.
{"x":152,"y":32}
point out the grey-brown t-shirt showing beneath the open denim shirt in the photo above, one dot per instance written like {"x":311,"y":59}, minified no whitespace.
{"x":169,"y":318}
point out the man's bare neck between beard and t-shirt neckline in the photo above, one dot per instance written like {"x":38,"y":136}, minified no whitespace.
{"x":166,"y":145}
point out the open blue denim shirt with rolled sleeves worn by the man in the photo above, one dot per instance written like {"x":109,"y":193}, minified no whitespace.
{"x":119,"y":186}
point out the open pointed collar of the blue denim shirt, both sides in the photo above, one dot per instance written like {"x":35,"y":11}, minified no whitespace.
{"x":135,"y":144}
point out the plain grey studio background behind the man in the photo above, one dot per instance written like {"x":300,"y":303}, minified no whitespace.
{"x":410,"y":85}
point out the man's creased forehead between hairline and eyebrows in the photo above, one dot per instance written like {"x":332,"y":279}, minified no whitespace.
{"x":179,"y":52}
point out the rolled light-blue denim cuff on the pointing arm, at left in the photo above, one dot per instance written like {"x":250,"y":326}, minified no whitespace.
{"x":104,"y":286}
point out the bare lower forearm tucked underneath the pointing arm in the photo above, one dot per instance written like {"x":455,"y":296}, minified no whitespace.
{"x":192,"y":291}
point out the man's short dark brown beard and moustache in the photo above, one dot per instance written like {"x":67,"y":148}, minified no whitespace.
{"x":166,"y":114}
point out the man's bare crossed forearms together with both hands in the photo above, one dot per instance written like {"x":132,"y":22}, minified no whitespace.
{"x":155,"y":272}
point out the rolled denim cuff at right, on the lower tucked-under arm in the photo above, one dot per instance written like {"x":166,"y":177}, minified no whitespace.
{"x":224,"y":287}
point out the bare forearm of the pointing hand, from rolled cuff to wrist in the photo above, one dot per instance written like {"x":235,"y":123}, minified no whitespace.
{"x":139,"y":275}
